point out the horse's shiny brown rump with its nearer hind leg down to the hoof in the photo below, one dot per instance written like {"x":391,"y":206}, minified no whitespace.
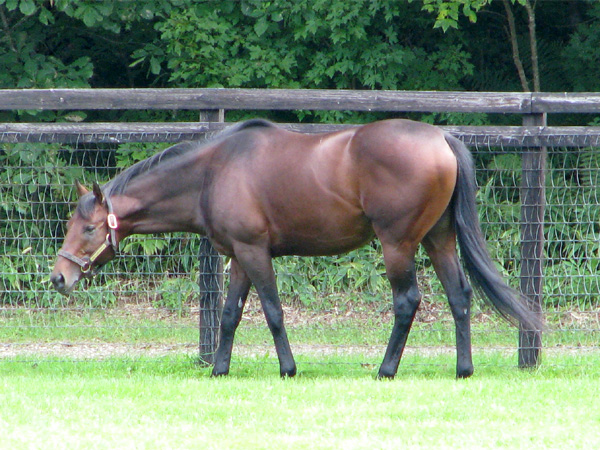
{"x":407,"y":176}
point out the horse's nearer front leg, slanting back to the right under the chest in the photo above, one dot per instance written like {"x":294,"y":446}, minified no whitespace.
{"x":256,"y":262}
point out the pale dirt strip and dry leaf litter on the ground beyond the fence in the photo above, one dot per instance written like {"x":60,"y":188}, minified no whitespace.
{"x":335,"y":314}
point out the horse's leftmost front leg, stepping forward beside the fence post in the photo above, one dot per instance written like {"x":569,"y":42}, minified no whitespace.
{"x":239,"y":286}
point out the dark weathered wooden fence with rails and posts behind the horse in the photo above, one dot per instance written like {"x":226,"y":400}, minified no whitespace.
{"x":534,"y":135}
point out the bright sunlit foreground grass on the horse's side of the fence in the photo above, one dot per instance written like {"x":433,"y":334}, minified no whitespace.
{"x":171,"y":403}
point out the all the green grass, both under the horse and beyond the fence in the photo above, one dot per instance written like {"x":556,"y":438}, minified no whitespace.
{"x":335,"y":402}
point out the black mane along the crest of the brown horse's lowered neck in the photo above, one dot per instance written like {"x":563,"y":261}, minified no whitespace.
{"x":118,"y":184}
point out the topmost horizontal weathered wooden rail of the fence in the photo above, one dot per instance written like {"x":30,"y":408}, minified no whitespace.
{"x":297,"y":99}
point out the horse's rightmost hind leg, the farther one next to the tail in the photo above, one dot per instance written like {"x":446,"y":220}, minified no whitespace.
{"x":440,"y":244}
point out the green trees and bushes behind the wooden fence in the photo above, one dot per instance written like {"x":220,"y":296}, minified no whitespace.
{"x":486,"y":45}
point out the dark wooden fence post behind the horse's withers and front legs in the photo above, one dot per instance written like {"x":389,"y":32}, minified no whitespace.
{"x":210,"y":281}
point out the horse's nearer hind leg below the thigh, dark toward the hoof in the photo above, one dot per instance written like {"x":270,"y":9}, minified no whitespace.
{"x":400,"y":268}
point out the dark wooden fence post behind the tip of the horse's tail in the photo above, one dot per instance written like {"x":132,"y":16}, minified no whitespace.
{"x":533,"y":203}
